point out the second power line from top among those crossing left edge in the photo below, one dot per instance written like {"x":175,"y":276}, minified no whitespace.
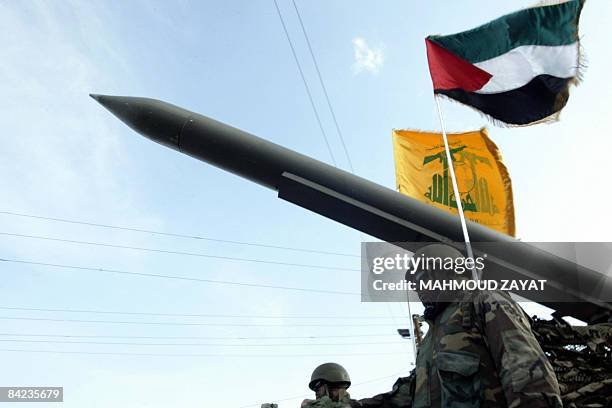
{"x":164,"y":251}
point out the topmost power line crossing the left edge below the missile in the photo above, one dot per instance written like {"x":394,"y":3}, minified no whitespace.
{"x":196,"y":237}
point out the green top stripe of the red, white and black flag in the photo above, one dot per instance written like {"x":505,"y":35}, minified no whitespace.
{"x":545,"y":25}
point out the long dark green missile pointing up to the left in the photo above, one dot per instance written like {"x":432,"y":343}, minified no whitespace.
{"x":359,"y":203}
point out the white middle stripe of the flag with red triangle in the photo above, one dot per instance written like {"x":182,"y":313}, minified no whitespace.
{"x":519,"y":66}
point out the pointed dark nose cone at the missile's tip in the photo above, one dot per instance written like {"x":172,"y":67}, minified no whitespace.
{"x":156,"y":120}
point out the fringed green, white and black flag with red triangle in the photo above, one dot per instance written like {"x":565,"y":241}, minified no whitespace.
{"x":516,"y":69}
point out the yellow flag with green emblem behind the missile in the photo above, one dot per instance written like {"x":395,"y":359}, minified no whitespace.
{"x":421,"y":170}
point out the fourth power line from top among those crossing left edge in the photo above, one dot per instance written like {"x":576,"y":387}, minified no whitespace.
{"x":31,"y":309}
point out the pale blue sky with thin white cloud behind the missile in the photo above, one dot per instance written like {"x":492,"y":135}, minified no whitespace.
{"x":64,"y":156}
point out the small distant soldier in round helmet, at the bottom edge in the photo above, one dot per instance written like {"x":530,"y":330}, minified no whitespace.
{"x":330,"y":382}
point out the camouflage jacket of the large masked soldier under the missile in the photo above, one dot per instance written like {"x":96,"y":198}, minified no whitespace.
{"x":481,"y":352}
